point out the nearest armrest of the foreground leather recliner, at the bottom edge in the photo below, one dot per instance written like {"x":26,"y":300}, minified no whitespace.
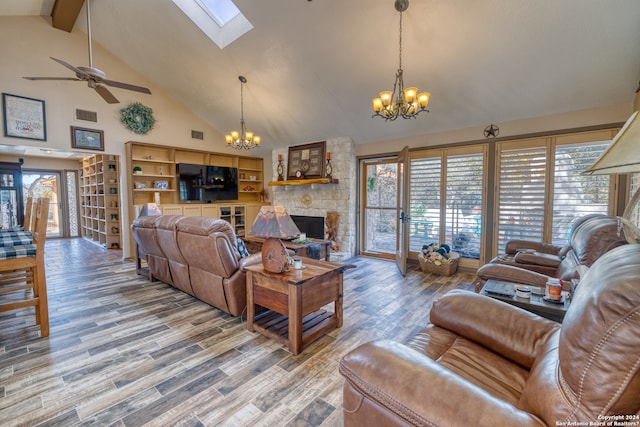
{"x":418,"y":390}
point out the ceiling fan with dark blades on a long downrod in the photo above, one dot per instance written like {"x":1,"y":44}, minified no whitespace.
{"x":94,"y":77}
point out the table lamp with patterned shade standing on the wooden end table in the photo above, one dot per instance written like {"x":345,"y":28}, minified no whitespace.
{"x":274,"y":223}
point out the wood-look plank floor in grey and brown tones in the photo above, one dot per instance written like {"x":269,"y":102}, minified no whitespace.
{"x":127,"y":352}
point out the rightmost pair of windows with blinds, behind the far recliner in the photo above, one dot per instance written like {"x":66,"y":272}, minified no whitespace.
{"x":541,"y":189}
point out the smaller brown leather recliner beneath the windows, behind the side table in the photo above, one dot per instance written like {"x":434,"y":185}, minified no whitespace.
{"x":532,"y":263}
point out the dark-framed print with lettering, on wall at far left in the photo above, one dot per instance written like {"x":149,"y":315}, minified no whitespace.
{"x":24,"y":117}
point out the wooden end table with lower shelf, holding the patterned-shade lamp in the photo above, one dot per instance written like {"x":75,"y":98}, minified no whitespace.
{"x":294,"y":301}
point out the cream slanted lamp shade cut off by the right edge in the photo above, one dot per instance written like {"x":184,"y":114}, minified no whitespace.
{"x":623,"y":155}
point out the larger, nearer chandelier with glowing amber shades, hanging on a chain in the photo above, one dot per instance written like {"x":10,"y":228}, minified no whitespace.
{"x":406,"y":103}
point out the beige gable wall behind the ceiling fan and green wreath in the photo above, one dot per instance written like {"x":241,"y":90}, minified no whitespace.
{"x":28,"y":42}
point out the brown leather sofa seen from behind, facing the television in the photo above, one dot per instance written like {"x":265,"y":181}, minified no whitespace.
{"x":197,"y":255}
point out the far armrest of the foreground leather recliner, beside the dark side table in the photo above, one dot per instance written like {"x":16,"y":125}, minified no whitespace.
{"x":490,"y":323}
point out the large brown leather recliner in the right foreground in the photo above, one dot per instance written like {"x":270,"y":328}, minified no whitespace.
{"x":481,"y":362}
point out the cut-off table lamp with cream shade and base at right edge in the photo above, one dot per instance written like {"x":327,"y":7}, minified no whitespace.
{"x":623,"y":156}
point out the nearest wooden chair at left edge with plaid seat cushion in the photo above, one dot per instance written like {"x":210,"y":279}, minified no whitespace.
{"x":22,"y":272}
